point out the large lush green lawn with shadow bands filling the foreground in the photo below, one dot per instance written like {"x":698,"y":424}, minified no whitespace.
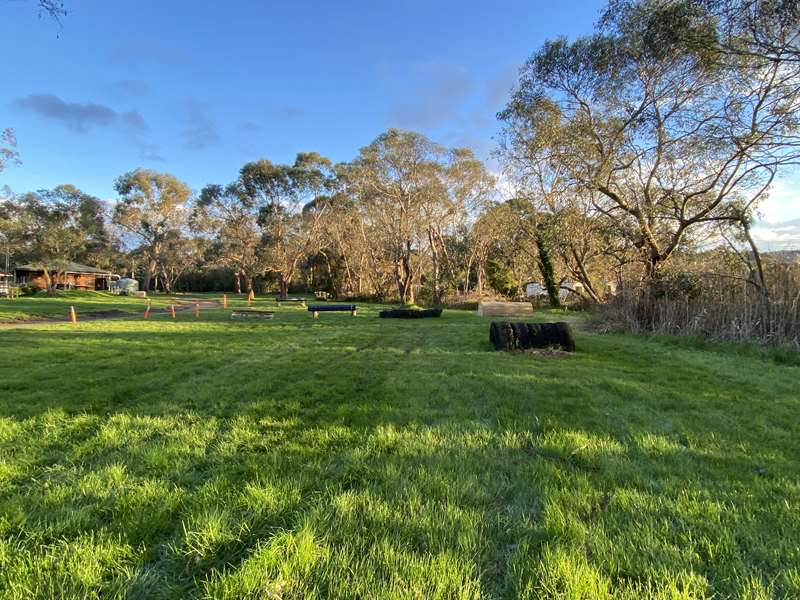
{"x":369,"y":458}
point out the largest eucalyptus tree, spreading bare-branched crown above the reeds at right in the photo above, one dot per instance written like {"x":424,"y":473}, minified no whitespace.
{"x":664,"y":131}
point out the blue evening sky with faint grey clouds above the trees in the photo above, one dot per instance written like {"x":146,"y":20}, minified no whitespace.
{"x":200,"y":88}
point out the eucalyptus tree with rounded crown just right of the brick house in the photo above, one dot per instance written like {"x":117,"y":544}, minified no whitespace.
{"x":152,"y":207}
